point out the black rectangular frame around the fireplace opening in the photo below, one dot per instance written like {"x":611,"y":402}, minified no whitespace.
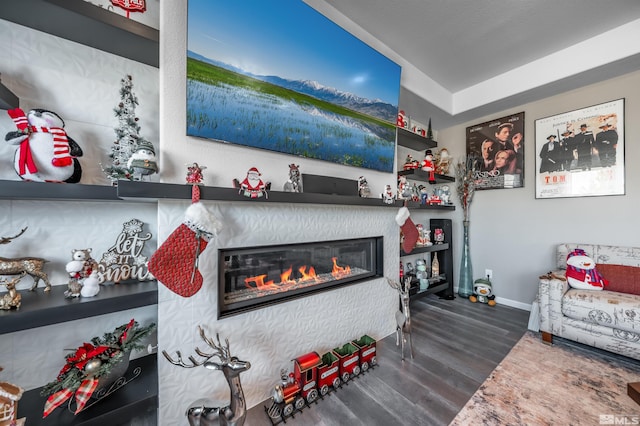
{"x":231,"y":309}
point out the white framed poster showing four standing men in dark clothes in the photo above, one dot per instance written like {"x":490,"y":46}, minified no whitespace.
{"x":580,"y":153}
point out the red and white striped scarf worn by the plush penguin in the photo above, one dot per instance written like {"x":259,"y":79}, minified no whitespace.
{"x":61,"y":150}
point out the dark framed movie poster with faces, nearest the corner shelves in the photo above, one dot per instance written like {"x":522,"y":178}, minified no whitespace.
{"x":498,"y":149}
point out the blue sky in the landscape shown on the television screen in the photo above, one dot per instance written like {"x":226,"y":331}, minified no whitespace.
{"x":289,"y":39}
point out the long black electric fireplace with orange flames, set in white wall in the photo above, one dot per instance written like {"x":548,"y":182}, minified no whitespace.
{"x":254,"y":277}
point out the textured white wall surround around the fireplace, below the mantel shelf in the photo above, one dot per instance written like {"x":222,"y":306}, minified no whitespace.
{"x":270,"y":337}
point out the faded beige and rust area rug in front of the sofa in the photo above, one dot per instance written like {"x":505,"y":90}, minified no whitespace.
{"x":563,"y":384}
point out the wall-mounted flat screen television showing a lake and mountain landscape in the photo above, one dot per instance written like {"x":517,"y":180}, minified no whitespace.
{"x":278,"y":75}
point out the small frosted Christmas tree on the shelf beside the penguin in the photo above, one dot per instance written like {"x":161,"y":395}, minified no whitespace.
{"x":127,"y":133}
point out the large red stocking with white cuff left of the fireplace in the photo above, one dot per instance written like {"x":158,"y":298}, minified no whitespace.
{"x":175,"y":263}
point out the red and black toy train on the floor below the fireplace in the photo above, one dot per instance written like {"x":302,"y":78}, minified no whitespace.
{"x":314,"y":376}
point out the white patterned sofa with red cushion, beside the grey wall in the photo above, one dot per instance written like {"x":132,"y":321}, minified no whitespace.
{"x":608,"y":319}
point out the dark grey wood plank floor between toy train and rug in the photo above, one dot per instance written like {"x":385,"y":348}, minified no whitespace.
{"x":456,"y":343}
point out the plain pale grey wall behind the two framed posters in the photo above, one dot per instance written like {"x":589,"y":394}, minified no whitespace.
{"x":514,"y":234}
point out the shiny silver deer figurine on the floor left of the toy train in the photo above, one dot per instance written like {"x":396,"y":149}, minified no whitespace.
{"x":201,"y":413}
